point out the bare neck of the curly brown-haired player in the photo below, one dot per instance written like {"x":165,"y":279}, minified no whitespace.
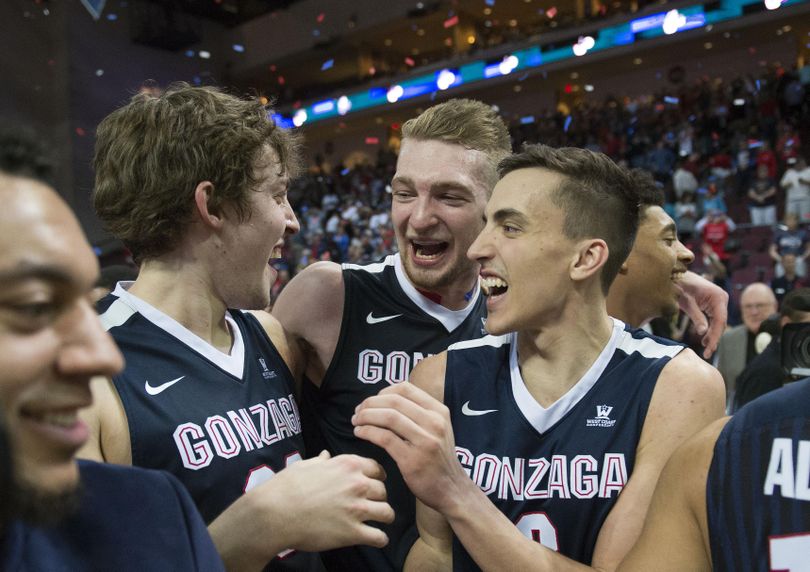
{"x":183,"y":292}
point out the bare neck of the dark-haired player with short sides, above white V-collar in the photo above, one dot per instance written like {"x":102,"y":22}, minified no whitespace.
{"x":553,"y":359}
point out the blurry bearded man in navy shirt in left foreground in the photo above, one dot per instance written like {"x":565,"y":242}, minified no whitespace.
{"x":66,"y":515}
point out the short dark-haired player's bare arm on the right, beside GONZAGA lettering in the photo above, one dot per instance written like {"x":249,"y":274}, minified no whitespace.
{"x":688,"y":396}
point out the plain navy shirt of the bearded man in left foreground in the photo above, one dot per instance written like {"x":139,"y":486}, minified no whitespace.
{"x":128,"y":519}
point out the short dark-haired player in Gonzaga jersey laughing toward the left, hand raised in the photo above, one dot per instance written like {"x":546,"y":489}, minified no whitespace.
{"x":562,"y":428}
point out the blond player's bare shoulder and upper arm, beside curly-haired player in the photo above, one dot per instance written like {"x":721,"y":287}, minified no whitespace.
{"x":310,"y":309}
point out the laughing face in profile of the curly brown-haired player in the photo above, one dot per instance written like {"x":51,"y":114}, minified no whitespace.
{"x":249,"y":247}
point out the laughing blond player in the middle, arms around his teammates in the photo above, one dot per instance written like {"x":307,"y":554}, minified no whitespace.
{"x":366,"y":327}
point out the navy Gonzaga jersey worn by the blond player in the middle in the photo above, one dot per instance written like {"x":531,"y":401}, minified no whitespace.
{"x":387,"y":328}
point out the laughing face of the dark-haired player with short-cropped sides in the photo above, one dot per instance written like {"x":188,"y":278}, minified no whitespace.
{"x":523,"y":253}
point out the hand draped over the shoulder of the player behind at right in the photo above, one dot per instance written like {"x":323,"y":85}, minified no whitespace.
{"x":707,"y":305}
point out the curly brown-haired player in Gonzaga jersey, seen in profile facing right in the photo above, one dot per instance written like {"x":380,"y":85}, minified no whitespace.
{"x":194,"y":182}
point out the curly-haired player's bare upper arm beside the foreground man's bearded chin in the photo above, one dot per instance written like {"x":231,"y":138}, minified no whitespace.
{"x":109,"y":429}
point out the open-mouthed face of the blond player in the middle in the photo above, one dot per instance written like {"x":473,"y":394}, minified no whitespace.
{"x":439,"y":194}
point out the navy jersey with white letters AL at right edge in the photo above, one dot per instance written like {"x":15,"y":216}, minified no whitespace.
{"x":758,"y":487}
